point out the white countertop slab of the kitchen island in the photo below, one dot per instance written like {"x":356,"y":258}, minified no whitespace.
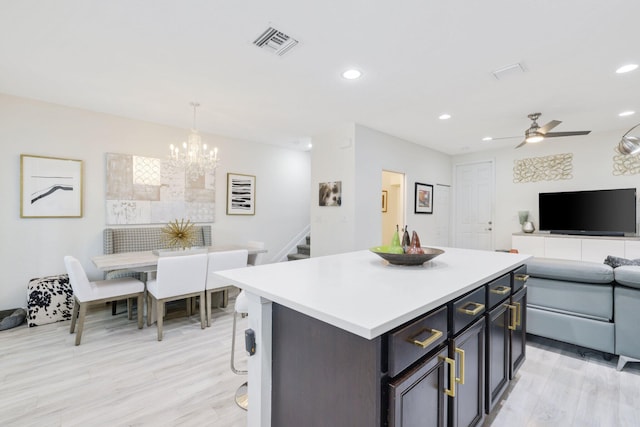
{"x":363,"y":294}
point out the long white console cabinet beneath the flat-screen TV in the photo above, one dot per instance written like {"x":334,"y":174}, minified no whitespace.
{"x":581,"y":248}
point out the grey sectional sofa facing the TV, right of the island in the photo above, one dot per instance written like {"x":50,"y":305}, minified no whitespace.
{"x":588,"y":304}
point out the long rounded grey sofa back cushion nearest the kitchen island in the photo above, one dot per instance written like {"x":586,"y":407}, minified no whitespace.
{"x":574,"y":271}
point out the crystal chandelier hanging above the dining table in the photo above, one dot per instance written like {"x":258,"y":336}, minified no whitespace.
{"x":193,"y":156}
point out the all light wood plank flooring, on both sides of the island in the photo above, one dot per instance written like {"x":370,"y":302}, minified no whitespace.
{"x":123,"y":376}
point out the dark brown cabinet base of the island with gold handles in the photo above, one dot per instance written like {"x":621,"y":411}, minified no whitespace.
{"x":445,"y":368}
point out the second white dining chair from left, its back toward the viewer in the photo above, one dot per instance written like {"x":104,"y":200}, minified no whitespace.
{"x":177,"y":277}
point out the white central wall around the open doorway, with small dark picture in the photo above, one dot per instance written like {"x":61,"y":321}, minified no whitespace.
{"x":357,"y":155}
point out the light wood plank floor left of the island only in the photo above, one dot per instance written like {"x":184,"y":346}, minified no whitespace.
{"x":120,"y":375}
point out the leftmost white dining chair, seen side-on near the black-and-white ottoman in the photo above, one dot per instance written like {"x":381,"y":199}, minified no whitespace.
{"x":86,"y":293}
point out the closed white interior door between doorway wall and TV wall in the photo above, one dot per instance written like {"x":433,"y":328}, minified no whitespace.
{"x":474,"y":207}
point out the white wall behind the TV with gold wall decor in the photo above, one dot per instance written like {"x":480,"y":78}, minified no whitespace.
{"x":592,"y":170}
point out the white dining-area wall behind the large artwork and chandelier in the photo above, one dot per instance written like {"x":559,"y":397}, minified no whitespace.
{"x":34,"y":247}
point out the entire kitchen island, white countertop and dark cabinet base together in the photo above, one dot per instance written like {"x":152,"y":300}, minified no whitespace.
{"x":340,"y":338}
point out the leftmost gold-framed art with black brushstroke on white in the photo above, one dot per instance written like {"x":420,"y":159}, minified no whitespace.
{"x":50,"y":187}
